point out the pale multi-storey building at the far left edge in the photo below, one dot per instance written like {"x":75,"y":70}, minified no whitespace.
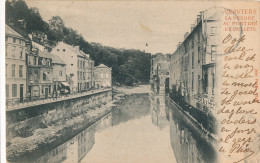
{"x":15,"y":48}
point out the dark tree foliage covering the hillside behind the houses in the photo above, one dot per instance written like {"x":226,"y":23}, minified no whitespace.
{"x":128,"y":66}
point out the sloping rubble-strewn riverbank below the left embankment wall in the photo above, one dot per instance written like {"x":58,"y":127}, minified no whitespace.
{"x":29,"y":148}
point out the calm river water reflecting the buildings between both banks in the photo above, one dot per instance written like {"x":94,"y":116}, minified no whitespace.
{"x":140,"y":128}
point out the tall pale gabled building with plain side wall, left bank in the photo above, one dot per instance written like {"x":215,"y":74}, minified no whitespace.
{"x":79,"y":66}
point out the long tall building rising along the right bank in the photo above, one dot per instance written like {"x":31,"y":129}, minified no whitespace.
{"x":193,"y":64}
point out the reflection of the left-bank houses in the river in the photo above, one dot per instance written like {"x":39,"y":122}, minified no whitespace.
{"x":75,"y":149}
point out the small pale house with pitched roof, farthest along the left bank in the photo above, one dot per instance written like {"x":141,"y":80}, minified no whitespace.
{"x":102,"y":76}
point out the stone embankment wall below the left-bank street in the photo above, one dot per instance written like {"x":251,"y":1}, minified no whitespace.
{"x":22,"y":122}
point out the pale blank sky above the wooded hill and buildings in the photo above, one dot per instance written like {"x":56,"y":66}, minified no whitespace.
{"x":126,"y":24}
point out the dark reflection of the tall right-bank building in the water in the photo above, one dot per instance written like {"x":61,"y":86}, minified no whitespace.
{"x":189,"y":144}
